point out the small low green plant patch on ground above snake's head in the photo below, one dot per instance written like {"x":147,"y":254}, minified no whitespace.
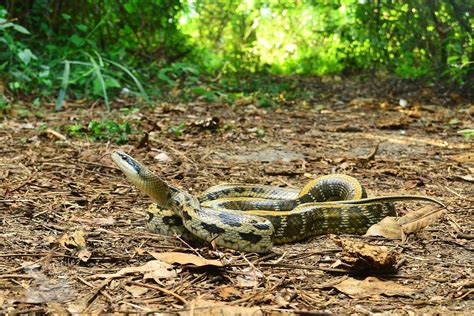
{"x":101,"y":130}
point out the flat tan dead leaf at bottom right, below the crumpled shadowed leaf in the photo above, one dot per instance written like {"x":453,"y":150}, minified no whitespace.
{"x":372,"y":286}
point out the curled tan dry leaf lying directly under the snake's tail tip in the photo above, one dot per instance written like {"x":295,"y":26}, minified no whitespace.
{"x":391,"y":227}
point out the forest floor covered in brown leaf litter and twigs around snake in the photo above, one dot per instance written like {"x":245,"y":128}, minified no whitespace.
{"x":73,"y":240}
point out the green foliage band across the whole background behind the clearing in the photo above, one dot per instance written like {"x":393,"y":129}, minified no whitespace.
{"x":96,"y":49}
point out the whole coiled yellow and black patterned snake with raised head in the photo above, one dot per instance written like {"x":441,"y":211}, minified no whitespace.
{"x":254,"y":217}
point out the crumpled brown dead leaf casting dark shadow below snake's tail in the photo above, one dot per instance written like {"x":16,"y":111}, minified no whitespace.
{"x":363,"y":256}
